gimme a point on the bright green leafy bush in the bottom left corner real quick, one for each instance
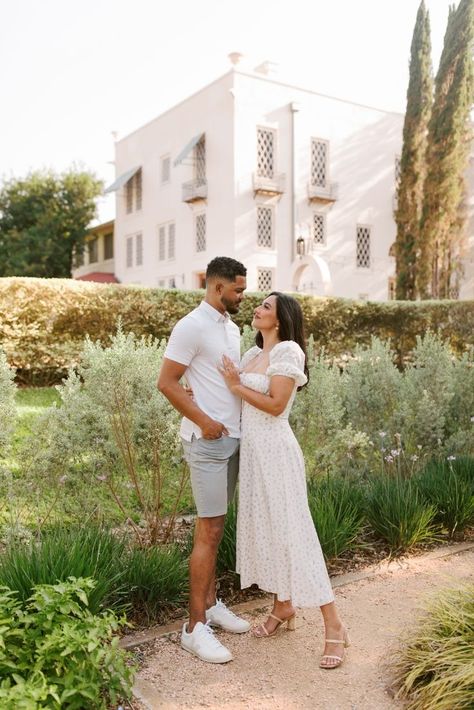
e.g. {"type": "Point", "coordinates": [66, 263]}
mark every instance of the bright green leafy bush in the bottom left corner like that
{"type": "Point", "coordinates": [54, 653]}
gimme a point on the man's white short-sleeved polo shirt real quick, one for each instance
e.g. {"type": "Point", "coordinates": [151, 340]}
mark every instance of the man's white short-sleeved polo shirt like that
{"type": "Point", "coordinates": [199, 340]}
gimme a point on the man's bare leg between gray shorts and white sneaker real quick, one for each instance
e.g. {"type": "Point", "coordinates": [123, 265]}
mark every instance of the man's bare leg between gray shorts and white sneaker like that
{"type": "Point", "coordinates": [202, 567]}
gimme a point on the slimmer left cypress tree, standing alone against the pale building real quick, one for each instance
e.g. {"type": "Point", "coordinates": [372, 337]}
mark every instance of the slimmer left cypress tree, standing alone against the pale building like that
{"type": "Point", "coordinates": [412, 162]}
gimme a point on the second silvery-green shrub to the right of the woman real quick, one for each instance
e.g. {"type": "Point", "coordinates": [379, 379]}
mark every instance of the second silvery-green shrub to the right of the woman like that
{"type": "Point", "coordinates": [372, 386]}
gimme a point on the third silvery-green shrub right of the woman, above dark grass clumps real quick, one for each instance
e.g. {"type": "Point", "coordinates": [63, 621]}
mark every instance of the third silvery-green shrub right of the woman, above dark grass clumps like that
{"type": "Point", "coordinates": [426, 394]}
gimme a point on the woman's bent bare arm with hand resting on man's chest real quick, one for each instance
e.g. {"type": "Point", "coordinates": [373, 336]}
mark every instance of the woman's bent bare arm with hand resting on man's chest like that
{"type": "Point", "coordinates": [274, 403]}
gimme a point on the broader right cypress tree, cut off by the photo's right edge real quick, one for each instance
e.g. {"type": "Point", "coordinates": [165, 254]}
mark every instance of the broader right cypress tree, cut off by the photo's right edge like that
{"type": "Point", "coordinates": [449, 141]}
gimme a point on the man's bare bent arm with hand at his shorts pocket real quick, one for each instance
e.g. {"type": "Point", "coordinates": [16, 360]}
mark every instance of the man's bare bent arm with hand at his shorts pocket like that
{"type": "Point", "coordinates": [168, 384]}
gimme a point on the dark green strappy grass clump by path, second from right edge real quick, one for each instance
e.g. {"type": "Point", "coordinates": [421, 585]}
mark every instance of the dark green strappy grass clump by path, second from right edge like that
{"type": "Point", "coordinates": [398, 514]}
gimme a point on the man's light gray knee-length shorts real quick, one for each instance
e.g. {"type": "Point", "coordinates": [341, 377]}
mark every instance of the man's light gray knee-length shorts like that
{"type": "Point", "coordinates": [214, 465]}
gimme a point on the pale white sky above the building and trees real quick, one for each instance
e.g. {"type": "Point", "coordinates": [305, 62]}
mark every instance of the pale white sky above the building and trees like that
{"type": "Point", "coordinates": [71, 73]}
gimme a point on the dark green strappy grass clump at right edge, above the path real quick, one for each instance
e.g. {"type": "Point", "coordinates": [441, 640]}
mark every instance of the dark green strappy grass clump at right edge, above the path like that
{"type": "Point", "coordinates": [450, 493]}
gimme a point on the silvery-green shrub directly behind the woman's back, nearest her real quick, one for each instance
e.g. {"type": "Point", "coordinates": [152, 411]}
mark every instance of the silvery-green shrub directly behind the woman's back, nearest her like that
{"type": "Point", "coordinates": [329, 443]}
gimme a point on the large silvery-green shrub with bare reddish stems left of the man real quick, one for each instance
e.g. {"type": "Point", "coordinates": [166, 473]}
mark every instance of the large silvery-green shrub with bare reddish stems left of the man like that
{"type": "Point", "coordinates": [113, 424]}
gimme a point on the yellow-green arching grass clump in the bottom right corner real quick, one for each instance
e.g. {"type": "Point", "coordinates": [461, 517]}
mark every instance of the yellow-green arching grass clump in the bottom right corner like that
{"type": "Point", "coordinates": [435, 665]}
